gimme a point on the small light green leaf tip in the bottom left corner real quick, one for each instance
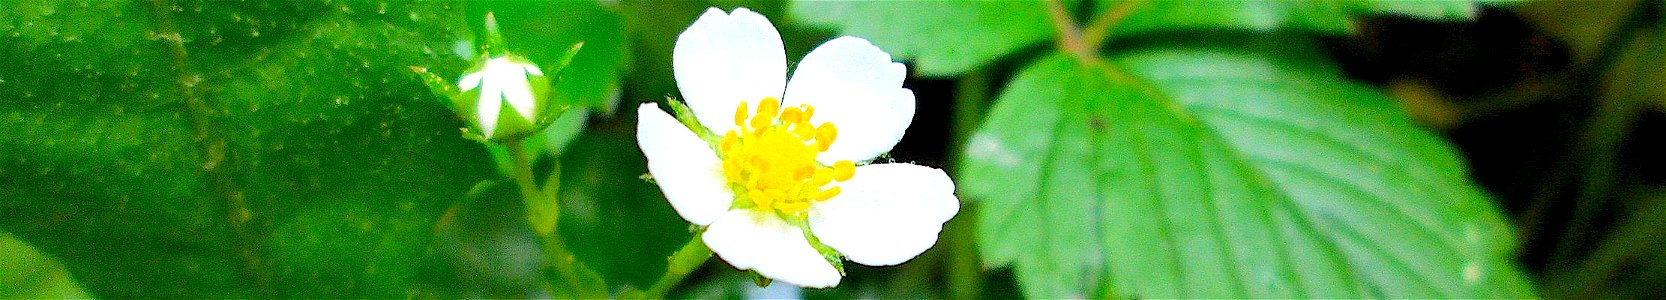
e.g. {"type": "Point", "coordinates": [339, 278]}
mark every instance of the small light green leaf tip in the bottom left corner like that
{"type": "Point", "coordinates": [31, 274]}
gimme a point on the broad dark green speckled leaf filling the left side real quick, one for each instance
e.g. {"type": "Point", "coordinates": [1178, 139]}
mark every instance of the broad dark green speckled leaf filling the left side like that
{"type": "Point", "coordinates": [264, 149]}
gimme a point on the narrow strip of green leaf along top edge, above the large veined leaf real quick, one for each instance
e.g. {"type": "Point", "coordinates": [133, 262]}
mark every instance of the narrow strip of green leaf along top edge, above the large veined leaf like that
{"type": "Point", "coordinates": [1265, 16]}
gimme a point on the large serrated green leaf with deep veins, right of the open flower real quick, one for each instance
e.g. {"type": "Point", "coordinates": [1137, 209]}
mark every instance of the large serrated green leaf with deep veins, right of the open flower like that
{"type": "Point", "coordinates": [1225, 172]}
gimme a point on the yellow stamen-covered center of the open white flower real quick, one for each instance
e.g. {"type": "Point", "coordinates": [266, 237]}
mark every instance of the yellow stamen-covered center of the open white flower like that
{"type": "Point", "coordinates": [771, 159]}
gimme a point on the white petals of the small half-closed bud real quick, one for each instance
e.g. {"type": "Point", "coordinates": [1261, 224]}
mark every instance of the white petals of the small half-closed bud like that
{"type": "Point", "coordinates": [502, 81]}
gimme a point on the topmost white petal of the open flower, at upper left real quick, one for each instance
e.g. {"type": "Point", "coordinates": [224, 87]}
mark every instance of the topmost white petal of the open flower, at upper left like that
{"type": "Point", "coordinates": [726, 59]}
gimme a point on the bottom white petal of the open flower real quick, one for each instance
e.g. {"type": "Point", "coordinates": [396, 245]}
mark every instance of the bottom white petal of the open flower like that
{"type": "Point", "coordinates": [771, 246]}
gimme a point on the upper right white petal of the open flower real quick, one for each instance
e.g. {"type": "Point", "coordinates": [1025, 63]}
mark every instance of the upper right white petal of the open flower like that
{"type": "Point", "coordinates": [860, 91]}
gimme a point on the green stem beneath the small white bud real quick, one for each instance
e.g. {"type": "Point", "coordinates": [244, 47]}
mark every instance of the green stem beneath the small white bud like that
{"type": "Point", "coordinates": [544, 216]}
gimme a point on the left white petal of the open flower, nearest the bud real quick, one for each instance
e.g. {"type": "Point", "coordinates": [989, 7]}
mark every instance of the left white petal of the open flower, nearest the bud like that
{"type": "Point", "coordinates": [686, 167]}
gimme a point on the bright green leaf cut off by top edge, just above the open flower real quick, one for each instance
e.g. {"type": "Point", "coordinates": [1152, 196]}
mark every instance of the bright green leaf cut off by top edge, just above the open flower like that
{"type": "Point", "coordinates": [944, 39]}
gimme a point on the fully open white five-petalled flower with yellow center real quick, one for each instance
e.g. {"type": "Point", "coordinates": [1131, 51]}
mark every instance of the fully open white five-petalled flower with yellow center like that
{"type": "Point", "coordinates": [787, 166]}
